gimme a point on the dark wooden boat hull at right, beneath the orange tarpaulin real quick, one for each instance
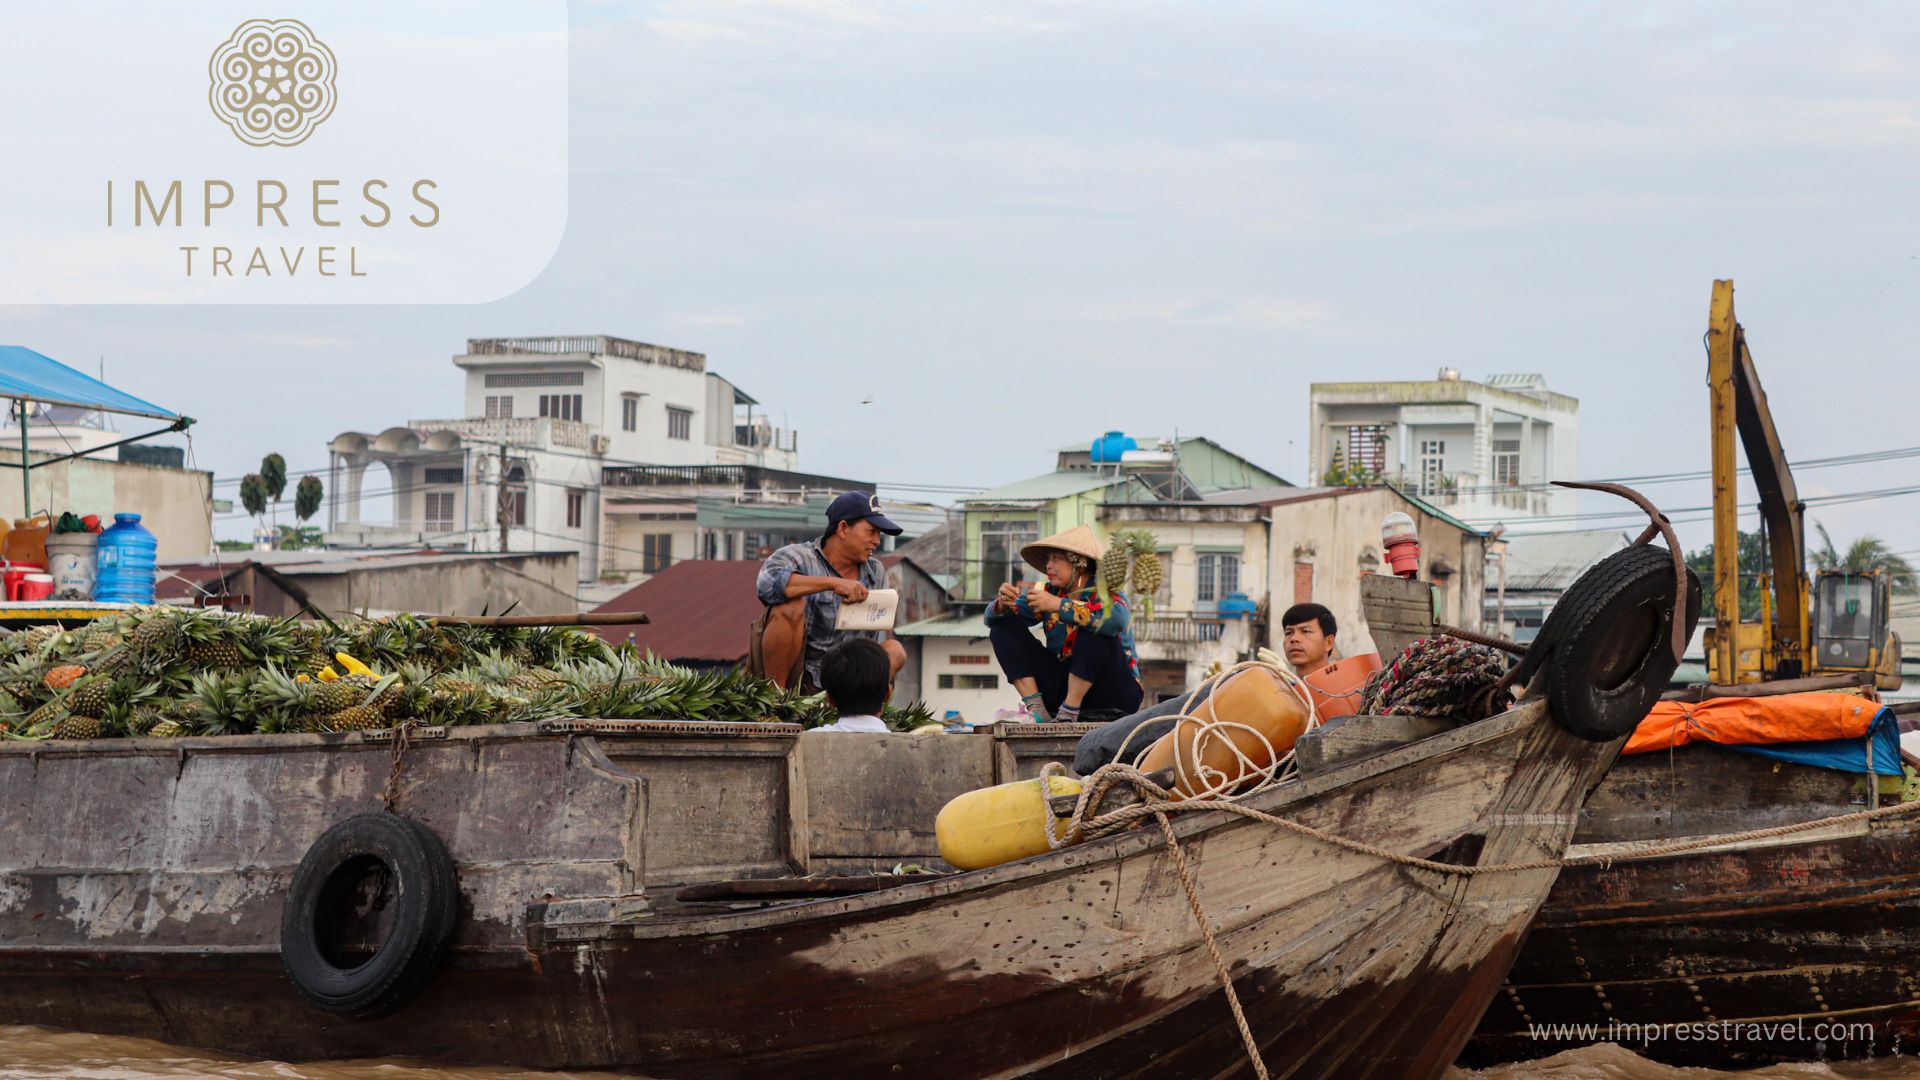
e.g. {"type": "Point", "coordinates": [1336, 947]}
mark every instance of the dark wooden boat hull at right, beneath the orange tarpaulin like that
{"type": "Point", "coordinates": [1787, 948]}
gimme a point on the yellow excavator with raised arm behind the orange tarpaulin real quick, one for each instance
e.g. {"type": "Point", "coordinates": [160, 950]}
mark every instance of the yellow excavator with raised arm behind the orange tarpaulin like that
{"type": "Point", "coordinates": [1838, 622]}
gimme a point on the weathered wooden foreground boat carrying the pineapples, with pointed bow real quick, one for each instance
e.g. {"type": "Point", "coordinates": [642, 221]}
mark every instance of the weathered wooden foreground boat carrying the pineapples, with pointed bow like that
{"type": "Point", "coordinates": [143, 889]}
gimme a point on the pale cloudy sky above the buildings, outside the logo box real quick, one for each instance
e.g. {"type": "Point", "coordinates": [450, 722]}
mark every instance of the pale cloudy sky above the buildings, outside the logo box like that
{"type": "Point", "coordinates": [1020, 226]}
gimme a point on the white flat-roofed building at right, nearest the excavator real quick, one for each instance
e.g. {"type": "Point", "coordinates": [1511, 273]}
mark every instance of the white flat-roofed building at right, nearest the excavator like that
{"type": "Point", "coordinates": [1477, 451]}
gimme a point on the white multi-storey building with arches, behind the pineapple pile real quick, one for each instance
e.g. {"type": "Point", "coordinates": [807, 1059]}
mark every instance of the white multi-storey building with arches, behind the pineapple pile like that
{"type": "Point", "coordinates": [525, 468]}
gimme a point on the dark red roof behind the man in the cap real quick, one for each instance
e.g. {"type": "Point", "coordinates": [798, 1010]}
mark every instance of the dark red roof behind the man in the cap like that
{"type": "Point", "coordinates": [700, 612]}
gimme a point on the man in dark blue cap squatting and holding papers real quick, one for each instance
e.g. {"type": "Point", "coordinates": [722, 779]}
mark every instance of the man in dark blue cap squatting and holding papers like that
{"type": "Point", "coordinates": [804, 587]}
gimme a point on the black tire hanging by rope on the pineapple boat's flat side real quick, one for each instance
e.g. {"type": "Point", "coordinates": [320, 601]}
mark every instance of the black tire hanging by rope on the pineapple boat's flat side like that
{"type": "Point", "coordinates": [421, 895]}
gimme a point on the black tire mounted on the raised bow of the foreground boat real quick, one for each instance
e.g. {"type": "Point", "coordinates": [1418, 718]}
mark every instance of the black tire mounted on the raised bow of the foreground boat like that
{"type": "Point", "coordinates": [1608, 645]}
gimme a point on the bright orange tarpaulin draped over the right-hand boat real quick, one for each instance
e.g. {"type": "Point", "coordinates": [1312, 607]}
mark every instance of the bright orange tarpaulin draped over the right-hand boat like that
{"type": "Point", "coordinates": [1787, 718]}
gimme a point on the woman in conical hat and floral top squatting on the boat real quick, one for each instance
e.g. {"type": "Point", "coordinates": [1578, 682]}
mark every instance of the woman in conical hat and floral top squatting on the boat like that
{"type": "Point", "coordinates": [1088, 662]}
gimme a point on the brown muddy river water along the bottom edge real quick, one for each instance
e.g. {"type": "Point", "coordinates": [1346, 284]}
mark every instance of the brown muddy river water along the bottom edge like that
{"type": "Point", "coordinates": [70, 1056]}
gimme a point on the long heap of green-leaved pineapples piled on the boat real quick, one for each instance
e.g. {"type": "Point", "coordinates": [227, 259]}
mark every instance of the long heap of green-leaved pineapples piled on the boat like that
{"type": "Point", "coordinates": [170, 672]}
